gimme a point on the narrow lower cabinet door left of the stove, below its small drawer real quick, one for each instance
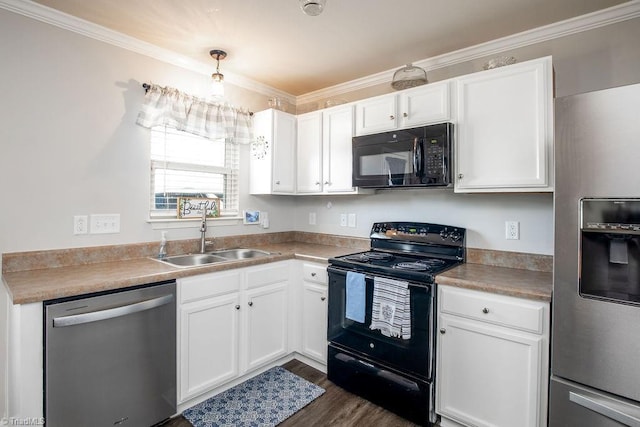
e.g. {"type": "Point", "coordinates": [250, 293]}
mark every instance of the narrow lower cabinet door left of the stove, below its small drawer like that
{"type": "Point", "coordinates": [314, 321]}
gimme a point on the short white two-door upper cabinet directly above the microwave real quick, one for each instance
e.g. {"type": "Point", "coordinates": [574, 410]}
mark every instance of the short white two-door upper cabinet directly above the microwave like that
{"type": "Point", "coordinates": [413, 107]}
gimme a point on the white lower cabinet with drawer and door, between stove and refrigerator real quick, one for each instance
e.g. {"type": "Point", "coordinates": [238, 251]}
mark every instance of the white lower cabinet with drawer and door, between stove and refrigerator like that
{"type": "Point", "coordinates": [492, 359]}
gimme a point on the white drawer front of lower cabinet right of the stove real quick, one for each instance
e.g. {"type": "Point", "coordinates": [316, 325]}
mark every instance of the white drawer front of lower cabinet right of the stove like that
{"type": "Point", "coordinates": [492, 308]}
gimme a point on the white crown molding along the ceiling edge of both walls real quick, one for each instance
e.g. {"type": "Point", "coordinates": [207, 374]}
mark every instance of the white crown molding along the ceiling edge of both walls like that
{"type": "Point", "coordinates": [612, 15]}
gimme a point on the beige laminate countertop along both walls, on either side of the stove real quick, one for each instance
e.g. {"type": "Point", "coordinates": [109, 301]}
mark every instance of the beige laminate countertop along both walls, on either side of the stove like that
{"type": "Point", "coordinates": [38, 285]}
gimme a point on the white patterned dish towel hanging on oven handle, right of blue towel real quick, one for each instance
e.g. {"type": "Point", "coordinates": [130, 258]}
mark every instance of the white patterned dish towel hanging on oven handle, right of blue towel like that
{"type": "Point", "coordinates": [391, 310]}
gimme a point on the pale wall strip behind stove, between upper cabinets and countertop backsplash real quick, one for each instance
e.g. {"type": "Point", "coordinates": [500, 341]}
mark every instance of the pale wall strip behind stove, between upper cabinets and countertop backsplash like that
{"type": "Point", "coordinates": [483, 215]}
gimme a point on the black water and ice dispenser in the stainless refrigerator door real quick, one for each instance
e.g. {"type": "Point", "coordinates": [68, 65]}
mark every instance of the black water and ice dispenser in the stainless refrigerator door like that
{"type": "Point", "coordinates": [610, 249]}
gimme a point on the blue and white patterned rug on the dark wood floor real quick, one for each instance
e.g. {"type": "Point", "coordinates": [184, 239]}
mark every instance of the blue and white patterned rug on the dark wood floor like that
{"type": "Point", "coordinates": [264, 400]}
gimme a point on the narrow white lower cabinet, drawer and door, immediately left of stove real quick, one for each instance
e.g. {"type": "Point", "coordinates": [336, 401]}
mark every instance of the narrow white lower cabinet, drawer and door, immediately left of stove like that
{"type": "Point", "coordinates": [314, 312]}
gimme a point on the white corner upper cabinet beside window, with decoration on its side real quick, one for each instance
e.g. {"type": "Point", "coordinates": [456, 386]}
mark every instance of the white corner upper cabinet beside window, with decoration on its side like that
{"type": "Point", "coordinates": [273, 156]}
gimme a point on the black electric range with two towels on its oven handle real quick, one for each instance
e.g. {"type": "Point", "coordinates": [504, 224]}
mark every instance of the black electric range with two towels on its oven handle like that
{"type": "Point", "coordinates": [396, 372]}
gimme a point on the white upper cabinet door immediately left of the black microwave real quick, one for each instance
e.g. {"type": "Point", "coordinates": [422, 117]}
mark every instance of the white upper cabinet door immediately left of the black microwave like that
{"type": "Point", "coordinates": [336, 136]}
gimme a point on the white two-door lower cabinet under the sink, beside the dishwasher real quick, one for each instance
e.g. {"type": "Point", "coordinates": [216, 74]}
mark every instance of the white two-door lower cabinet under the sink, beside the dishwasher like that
{"type": "Point", "coordinates": [230, 323]}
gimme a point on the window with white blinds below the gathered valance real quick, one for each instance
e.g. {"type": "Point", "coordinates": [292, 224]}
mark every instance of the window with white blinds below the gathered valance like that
{"type": "Point", "coordinates": [187, 165]}
